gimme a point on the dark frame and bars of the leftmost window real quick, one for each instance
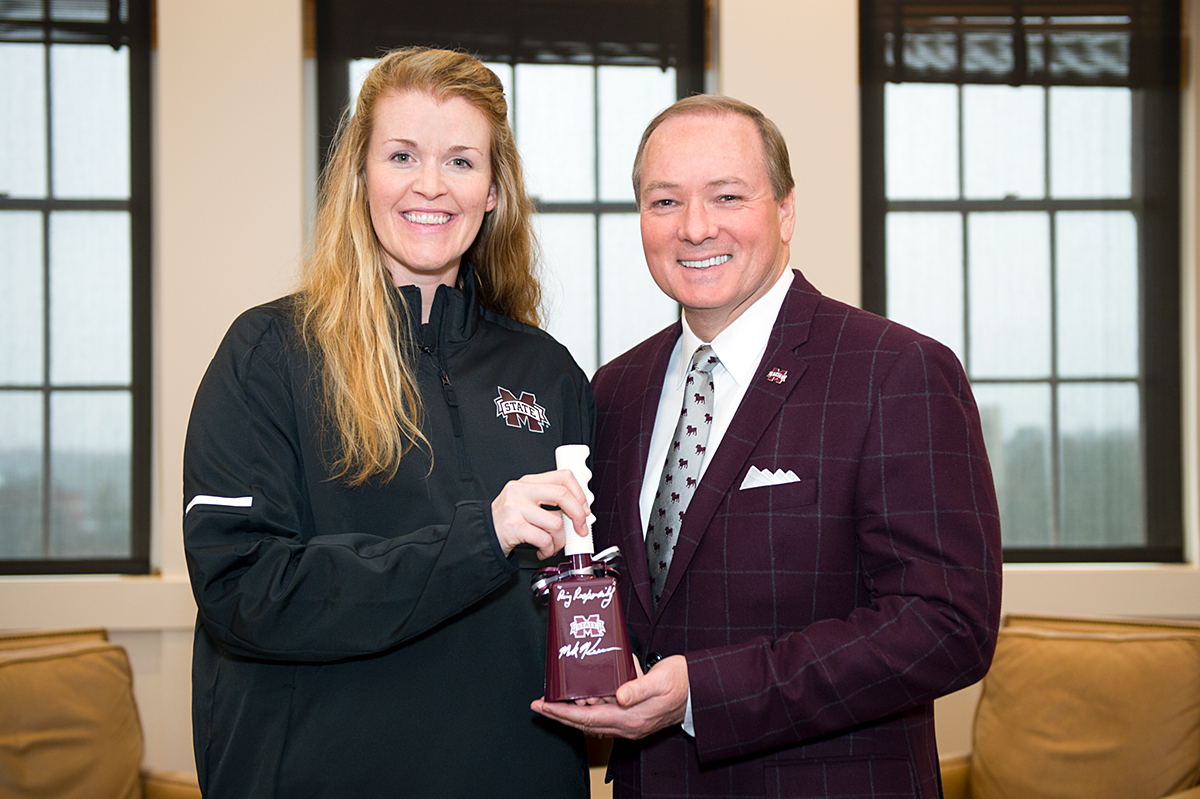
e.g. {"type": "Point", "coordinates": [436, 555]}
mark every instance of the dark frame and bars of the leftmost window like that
{"type": "Point", "coordinates": [136, 34]}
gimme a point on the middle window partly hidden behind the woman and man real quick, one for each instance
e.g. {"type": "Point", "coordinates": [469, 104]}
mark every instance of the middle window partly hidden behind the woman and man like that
{"type": "Point", "coordinates": [583, 80]}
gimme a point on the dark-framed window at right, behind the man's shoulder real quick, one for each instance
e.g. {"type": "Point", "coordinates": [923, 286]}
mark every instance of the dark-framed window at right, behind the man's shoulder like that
{"type": "Point", "coordinates": [1022, 206]}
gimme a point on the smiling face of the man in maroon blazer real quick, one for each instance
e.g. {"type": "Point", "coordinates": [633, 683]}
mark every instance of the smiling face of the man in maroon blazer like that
{"type": "Point", "coordinates": [716, 239]}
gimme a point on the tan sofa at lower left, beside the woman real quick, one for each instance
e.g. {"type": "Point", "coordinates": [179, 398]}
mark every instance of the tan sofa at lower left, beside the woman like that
{"type": "Point", "coordinates": [69, 723]}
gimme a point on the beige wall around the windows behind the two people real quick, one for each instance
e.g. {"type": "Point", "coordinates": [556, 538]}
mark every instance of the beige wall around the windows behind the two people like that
{"type": "Point", "coordinates": [230, 194]}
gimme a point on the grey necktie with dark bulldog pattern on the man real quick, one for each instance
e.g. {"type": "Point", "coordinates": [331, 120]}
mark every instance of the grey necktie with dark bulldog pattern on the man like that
{"type": "Point", "coordinates": [681, 473]}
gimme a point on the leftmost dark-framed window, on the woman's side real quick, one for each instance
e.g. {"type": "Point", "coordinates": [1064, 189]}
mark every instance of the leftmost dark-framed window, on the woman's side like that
{"type": "Point", "coordinates": [75, 289]}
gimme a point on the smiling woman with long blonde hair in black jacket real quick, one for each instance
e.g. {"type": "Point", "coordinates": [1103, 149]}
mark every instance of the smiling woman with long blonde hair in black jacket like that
{"type": "Point", "coordinates": [368, 473]}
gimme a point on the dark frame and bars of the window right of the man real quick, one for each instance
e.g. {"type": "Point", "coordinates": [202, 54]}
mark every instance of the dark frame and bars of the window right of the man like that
{"type": "Point", "coordinates": [1156, 205]}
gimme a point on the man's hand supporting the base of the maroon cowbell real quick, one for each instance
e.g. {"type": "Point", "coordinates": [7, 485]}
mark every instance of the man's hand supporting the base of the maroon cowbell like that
{"type": "Point", "coordinates": [644, 706]}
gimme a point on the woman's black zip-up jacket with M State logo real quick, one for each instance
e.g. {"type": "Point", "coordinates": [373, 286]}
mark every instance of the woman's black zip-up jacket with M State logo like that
{"type": "Point", "coordinates": [375, 641]}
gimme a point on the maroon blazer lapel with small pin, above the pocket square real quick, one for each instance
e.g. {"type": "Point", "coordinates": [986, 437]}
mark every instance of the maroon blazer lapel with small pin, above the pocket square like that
{"type": "Point", "coordinates": [778, 375]}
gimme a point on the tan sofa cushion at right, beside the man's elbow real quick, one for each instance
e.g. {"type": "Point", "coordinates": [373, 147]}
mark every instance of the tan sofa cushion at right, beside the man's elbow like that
{"type": "Point", "coordinates": [1107, 714]}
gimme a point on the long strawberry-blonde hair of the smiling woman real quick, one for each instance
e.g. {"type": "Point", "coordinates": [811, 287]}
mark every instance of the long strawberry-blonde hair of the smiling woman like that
{"type": "Point", "coordinates": [349, 316]}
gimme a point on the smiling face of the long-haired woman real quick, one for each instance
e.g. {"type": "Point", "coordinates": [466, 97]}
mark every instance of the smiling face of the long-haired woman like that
{"type": "Point", "coordinates": [429, 179]}
